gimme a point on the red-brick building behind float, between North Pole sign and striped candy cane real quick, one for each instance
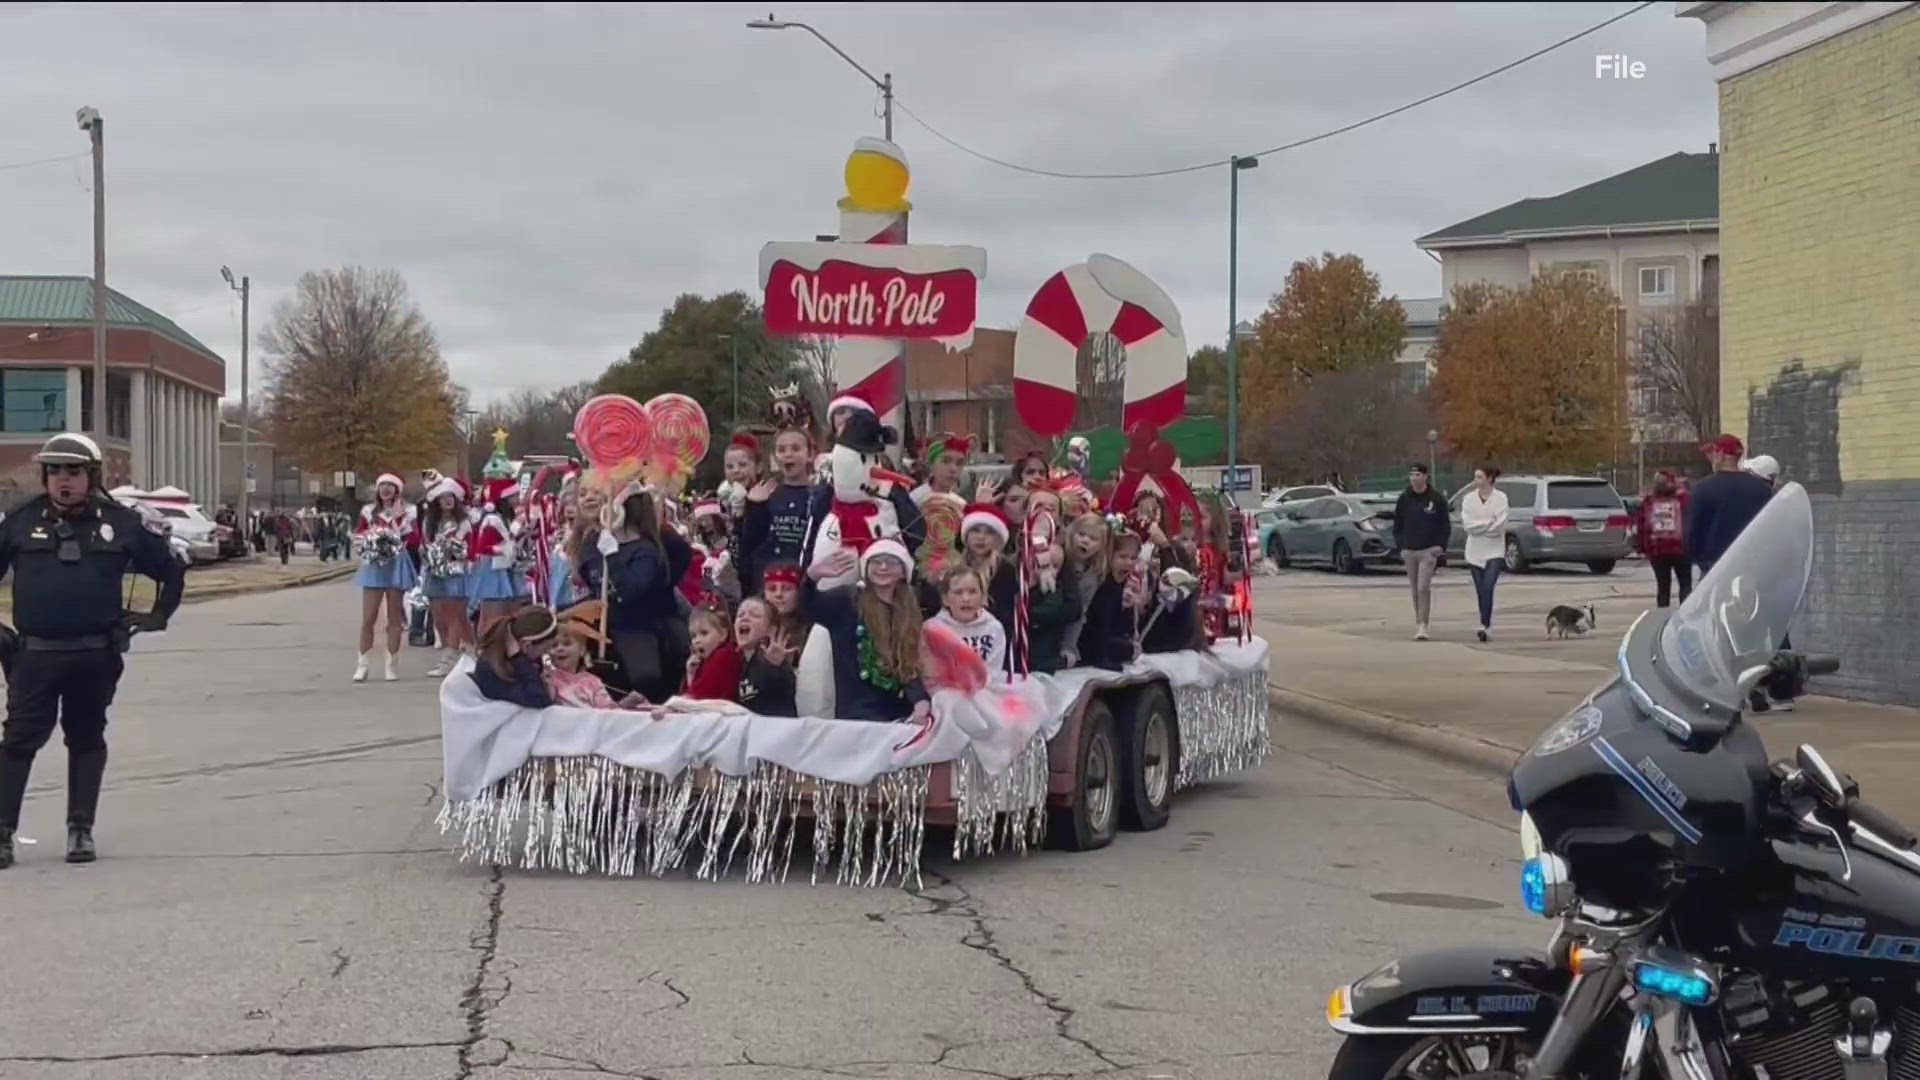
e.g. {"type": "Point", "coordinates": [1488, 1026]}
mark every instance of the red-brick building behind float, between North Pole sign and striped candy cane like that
{"type": "Point", "coordinates": [969, 393]}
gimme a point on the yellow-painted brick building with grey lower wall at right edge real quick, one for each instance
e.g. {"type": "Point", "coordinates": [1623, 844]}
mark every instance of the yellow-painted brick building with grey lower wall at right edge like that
{"type": "Point", "coordinates": [1819, 337]}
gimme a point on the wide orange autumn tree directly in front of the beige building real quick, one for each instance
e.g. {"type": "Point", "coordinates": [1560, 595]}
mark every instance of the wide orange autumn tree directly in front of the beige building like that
{"type": "Point", "coordinates": [1533, 376]}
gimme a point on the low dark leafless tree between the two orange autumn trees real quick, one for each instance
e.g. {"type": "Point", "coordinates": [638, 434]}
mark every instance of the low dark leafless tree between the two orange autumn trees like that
{"type": "Point", "coordinates": [1345, 426]}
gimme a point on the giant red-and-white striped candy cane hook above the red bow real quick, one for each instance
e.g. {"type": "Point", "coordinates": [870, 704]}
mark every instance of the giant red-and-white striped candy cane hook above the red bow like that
{"type": "Point", "coordinates": [1101, 295]}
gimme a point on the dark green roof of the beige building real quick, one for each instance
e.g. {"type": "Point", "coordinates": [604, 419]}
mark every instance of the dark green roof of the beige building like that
{"type": "Point", "coordinates": [1673, 191]}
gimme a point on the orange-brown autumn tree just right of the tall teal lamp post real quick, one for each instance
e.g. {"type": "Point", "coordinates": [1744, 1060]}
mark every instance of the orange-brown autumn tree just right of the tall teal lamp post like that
{"type": "Point", "coordinates": [1330, 316]}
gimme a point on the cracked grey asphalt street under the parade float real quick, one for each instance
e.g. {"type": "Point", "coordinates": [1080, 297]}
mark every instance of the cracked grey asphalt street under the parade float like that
{"type": "Point", "coordinates": [274, 900]}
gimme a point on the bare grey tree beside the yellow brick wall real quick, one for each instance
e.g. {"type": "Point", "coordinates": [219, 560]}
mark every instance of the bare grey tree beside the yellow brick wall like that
{"type": "Point", "coordinates": [1677, 374]}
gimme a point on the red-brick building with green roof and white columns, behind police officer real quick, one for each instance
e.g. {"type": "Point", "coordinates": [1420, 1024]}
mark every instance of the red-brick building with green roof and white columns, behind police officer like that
{"type": "Point", "coordinates": [164, 387]}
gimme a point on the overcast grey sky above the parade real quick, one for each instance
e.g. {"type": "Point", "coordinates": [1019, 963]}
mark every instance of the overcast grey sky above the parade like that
{"type": "Point", "coordinates": [552, 178]}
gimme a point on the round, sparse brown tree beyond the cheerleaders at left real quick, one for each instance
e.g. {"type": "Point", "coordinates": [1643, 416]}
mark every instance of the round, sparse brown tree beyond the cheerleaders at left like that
{"type": "Point", "coordinates": [354, 380]}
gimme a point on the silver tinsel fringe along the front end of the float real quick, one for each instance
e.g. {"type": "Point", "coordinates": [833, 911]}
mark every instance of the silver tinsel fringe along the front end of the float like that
{"type": "Point", "coordinates": [590, 816]}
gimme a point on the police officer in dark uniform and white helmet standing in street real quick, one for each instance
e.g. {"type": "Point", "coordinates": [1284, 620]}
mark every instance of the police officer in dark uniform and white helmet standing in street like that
{"type": "Point", "coordinates": [70, 552]}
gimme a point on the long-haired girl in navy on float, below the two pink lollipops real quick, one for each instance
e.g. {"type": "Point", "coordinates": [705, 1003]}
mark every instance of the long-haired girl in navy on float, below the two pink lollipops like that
{"type": "Point", "coordinates": [642, 602]}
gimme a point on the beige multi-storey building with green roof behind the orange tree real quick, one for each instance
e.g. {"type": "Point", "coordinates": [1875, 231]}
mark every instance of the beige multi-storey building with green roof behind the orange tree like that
{"type": "Point", "coordinates": [1650, 233]}
